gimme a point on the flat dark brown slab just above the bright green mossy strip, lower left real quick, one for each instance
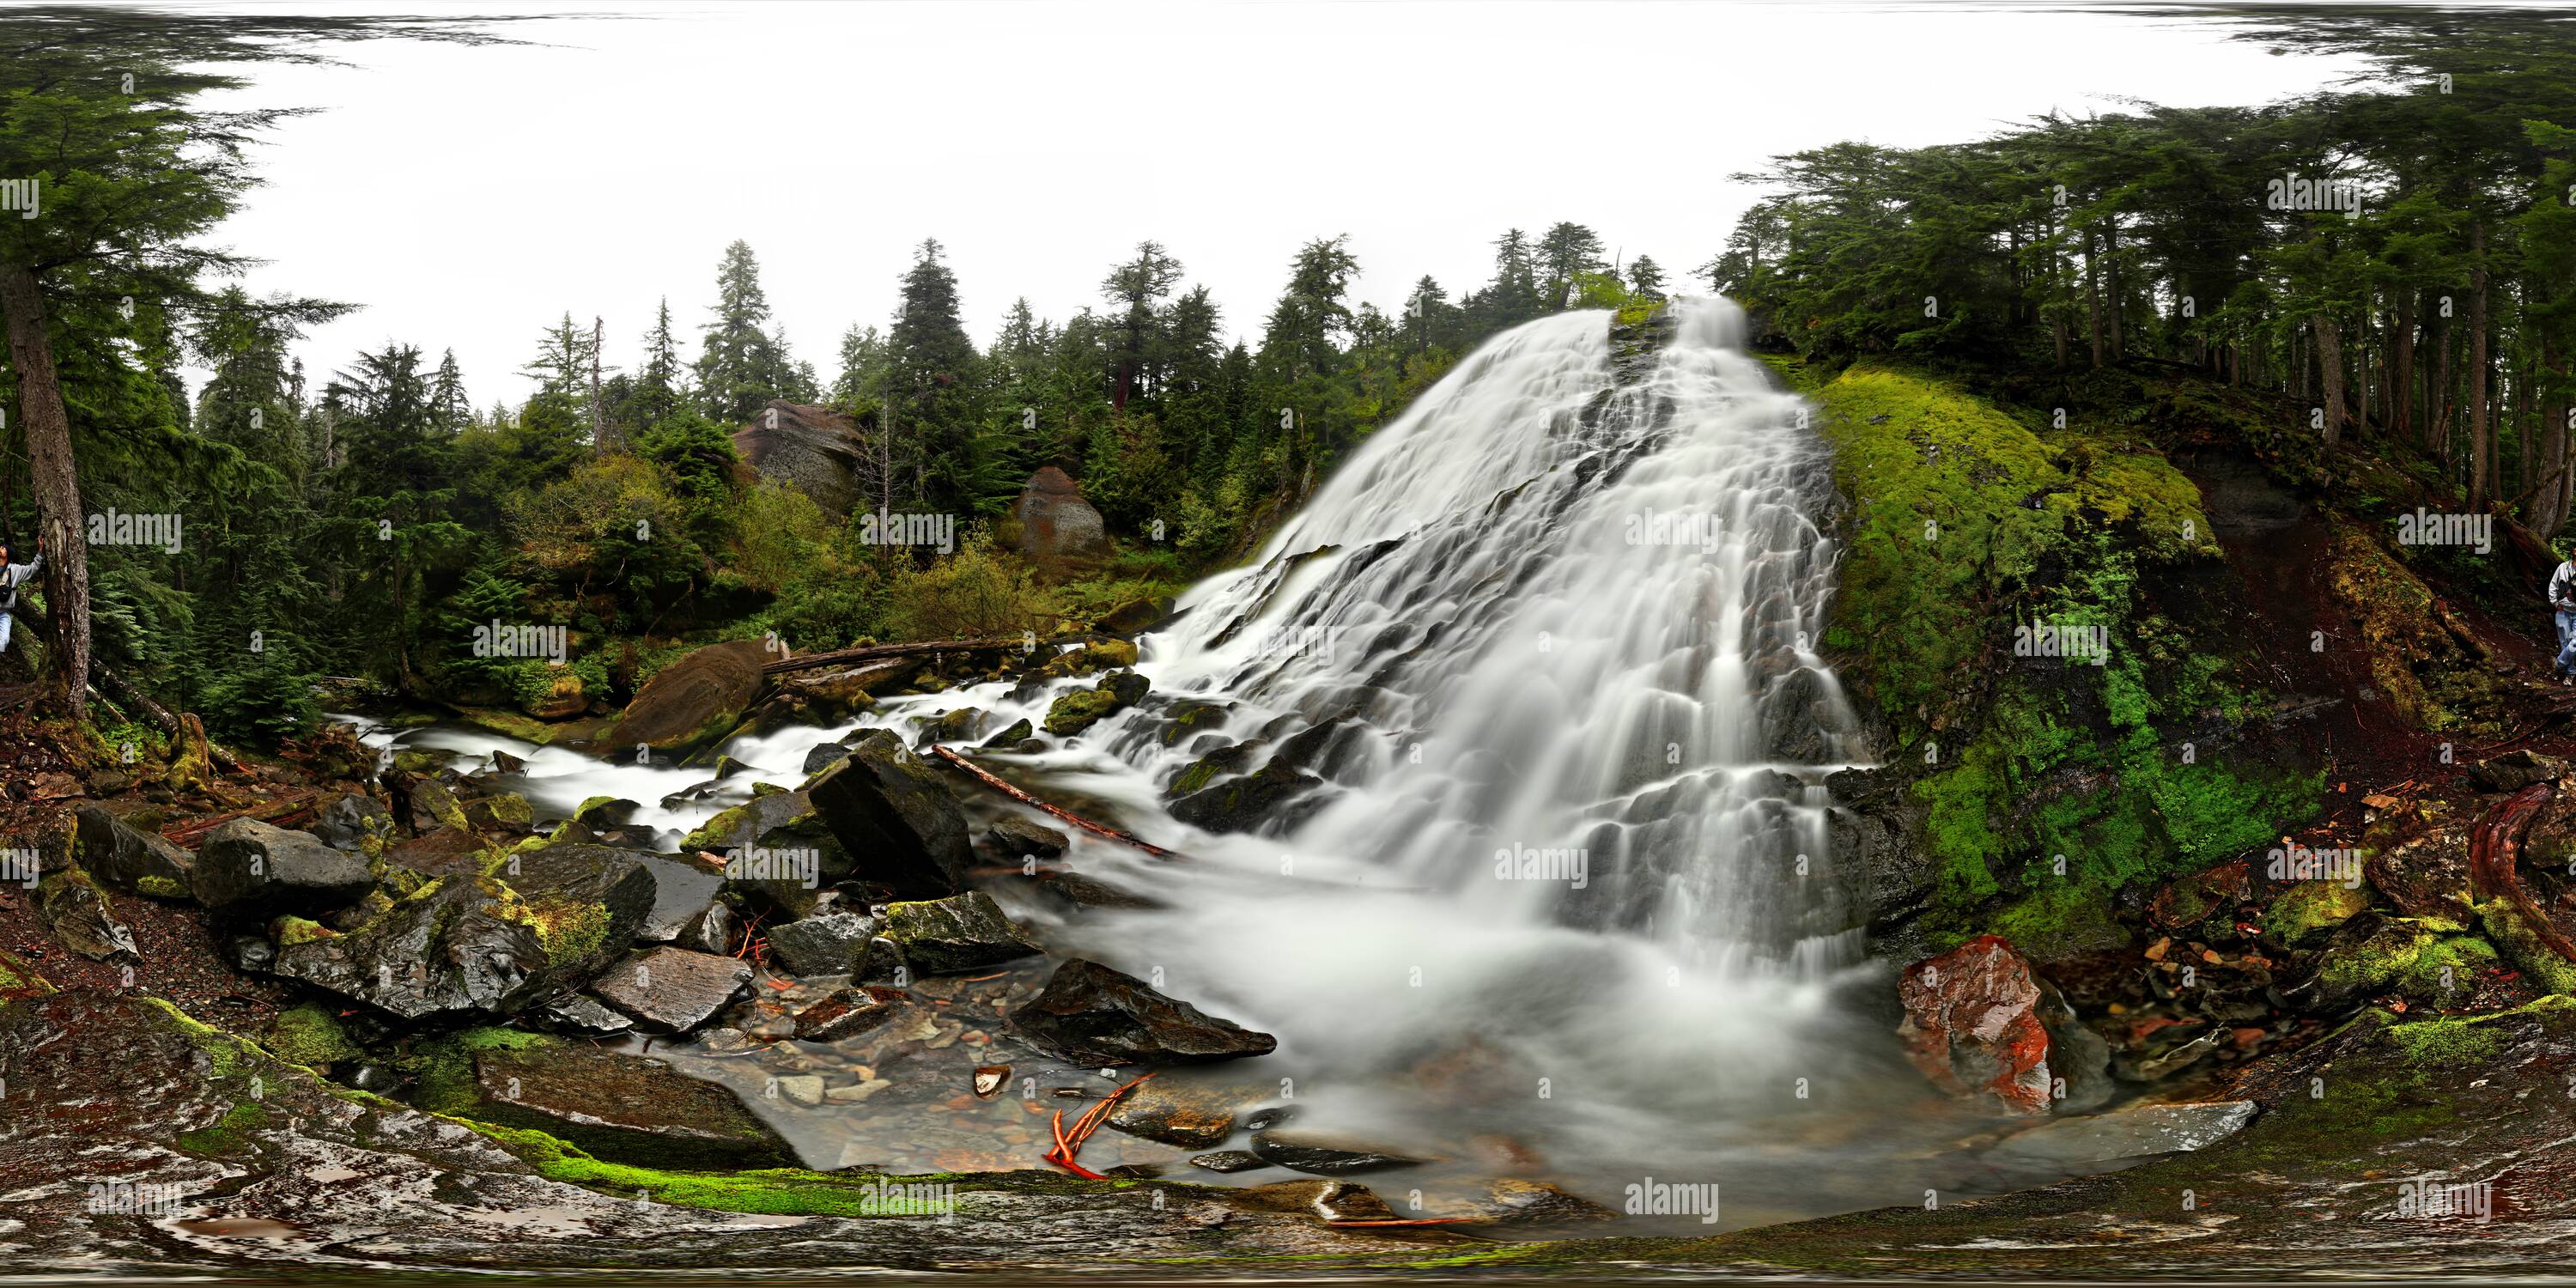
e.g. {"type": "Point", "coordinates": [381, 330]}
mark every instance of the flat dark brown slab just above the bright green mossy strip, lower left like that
{"type": "Point", "coordinates": [620, 1109]}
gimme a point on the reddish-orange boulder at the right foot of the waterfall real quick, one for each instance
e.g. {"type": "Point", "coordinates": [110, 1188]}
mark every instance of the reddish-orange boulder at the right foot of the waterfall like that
{"type": "Point", "coordinates": [1980, 1021]}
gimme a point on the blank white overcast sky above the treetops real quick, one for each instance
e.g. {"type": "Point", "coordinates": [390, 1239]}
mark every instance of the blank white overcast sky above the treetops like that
{"type": "Point", "coordinates": [470, 197]}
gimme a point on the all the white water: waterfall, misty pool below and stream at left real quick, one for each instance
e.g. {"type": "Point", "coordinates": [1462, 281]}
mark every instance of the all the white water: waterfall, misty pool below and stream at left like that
{"type": "Point", "coordinates": [1521, 674]}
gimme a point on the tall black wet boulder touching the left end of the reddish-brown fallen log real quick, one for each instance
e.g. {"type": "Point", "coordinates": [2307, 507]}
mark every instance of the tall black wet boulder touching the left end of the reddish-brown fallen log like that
{"type": "Point", "coordinates": [895, 818]}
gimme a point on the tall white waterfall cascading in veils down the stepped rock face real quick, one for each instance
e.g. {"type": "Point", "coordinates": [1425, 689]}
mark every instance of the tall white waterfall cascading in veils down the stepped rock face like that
{"type": "Point", "coordinates": [1565, 612]}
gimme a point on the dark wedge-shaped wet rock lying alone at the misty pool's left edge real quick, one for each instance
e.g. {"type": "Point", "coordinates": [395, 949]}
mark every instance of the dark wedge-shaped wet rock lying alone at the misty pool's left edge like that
{"type": "Point", "coordinates": [1104, 1019]}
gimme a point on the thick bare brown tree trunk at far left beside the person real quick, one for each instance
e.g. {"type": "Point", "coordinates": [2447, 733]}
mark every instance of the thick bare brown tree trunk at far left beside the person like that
{"type": "Point", "coordinates": [55, 483]}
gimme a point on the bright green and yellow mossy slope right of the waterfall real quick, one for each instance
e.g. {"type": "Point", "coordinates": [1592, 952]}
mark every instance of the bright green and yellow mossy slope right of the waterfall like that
{"type": "Point", "coordinates": [1967, 527]}
